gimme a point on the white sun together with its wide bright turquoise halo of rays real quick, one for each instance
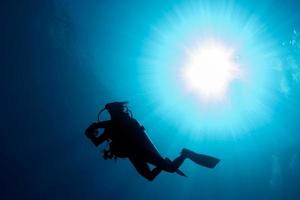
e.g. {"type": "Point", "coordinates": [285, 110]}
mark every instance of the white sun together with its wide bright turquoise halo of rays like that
{"type": "Point", "coordinates": [210, 68]}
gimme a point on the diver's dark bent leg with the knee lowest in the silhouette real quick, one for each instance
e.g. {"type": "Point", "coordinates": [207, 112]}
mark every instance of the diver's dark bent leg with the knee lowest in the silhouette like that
{"type": "Point", "coordinates": [143, 168]}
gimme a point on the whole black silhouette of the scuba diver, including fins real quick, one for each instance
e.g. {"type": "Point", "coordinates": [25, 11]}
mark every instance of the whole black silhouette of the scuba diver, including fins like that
{"type": "Point", "coordinates": [128, 139]}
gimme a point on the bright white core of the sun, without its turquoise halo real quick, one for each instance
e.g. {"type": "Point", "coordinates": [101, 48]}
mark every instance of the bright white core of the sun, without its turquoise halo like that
{"type": "Point", "coordinates": [209, 69]}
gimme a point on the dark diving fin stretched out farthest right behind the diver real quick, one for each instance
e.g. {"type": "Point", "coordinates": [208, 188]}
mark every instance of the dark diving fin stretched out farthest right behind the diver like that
{"type": "Point", "coordinates": [201, 159]}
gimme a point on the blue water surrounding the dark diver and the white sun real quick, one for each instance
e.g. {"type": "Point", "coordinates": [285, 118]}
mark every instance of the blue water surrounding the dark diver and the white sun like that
{"type": "Point", "coordinates": [61, 61]}
